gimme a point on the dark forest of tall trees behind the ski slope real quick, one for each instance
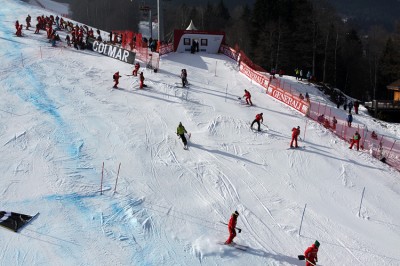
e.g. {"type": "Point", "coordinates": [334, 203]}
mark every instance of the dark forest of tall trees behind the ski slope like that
{"type": "Point", "coordinates": [278, 34]}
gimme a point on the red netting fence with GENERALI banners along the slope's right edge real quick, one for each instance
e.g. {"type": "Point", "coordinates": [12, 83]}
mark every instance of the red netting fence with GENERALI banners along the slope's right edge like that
{"type": "Point", "coordinates": [384, 148]}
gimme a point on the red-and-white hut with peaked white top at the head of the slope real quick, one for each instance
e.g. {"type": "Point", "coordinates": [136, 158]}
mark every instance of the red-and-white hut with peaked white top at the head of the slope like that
{"type": "Point", "coordinates": [208, 41]}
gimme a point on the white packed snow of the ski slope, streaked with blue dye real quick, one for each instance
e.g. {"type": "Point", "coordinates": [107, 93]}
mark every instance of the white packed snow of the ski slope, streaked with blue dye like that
{"type": "Point", "coordinates": [61, 121]}
